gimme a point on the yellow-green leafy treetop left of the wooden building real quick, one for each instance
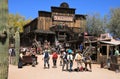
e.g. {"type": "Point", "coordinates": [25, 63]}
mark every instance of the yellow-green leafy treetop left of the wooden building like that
{"type": "Point", "coordinates": [17, 21]}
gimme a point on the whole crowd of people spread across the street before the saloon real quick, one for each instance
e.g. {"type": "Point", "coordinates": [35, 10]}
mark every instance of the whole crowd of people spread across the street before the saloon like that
{"type": "Point", "coordinates": [67, 56]}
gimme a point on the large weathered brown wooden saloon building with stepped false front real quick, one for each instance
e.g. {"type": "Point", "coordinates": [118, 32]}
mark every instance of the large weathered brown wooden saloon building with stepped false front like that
{"type": "Point", "coordinates": [61, 24]}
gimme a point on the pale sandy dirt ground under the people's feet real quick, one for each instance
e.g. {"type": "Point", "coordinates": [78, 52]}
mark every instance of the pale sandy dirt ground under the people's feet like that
{"type": "Point", "coordinates": [38, 72]}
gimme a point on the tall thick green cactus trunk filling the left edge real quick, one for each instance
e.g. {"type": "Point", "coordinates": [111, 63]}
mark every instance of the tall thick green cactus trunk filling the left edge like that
{"type": "Point", "coordinates": [3, 39]}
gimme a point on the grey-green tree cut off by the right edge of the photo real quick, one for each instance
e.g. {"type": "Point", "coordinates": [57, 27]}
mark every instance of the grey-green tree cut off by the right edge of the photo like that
{"type": "Point", "coordinates": [114, 22]}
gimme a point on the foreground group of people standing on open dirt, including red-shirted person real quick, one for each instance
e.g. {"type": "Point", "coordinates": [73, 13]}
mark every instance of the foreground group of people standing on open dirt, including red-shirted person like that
{"type": "Point", "coordinates": [67, 58]}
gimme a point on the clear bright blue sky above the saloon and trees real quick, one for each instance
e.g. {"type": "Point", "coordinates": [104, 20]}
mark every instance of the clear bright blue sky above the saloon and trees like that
{"type": "Point", "coordinates": [30, 8]}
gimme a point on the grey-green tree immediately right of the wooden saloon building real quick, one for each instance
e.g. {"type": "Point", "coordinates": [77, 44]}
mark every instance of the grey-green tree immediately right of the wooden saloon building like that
{"type": "Point", "coordinates": [95, 25]}
